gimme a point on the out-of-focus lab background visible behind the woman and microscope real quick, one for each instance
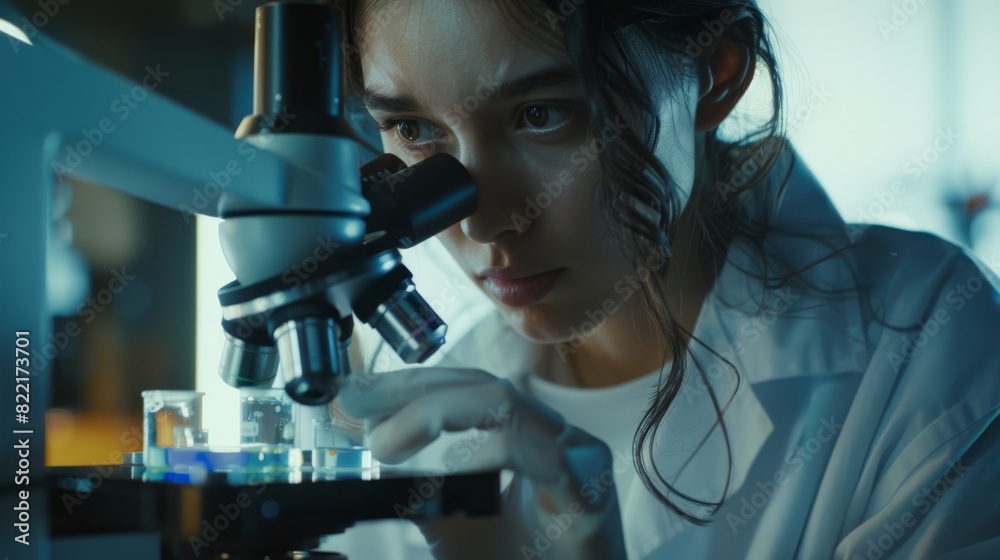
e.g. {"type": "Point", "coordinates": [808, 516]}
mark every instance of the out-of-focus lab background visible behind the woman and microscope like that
{"type": "Point", "coordinates": [891, 103]}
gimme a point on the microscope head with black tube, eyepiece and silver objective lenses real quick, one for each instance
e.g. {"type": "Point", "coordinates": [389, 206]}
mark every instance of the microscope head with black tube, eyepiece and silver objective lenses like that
{"type": "Point", "coordinates": [278, 314]}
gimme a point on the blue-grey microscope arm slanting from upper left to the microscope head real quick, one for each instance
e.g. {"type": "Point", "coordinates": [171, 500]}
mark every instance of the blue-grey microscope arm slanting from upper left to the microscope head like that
{"type": "Point", "coordinates": [100, 128]}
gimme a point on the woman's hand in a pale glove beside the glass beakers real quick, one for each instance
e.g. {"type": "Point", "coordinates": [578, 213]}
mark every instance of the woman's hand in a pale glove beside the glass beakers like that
{"type": "Point", "coordinates": [545, 511]}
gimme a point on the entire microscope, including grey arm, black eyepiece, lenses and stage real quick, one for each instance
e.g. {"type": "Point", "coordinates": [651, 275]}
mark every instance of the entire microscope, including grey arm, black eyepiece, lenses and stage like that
{"type": "Point", "coordinates": [286, 311]}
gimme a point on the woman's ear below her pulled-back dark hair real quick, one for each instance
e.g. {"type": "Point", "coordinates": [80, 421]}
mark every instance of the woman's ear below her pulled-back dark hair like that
{"type": "Point", "coordinates": [725, 77]}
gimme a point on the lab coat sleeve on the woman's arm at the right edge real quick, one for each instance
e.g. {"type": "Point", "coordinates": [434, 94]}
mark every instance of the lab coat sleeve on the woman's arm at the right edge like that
{"type": "Point", "coordinates": [930, 485]}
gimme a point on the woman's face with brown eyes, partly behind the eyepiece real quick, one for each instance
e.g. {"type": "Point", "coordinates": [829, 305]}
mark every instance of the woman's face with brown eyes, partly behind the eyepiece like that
{"type": "Point", "coordinates": [449, 76]}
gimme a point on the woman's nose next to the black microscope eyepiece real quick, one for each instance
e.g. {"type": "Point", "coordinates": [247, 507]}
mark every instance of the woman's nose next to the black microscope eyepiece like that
{"type": "Point", "coordinates": [501, 192]}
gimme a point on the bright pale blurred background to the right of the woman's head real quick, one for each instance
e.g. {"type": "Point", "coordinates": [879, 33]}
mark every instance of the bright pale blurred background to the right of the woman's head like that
{"type": "Point", "coordinates": [898, 96]}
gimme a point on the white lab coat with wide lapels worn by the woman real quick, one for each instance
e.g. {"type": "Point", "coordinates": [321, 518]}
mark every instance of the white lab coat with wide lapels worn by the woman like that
{"type": "Point", "coordinates": [849, 439]}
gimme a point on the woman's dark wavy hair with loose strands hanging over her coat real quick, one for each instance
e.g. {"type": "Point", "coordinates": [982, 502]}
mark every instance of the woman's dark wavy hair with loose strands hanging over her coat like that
{"type": "Point", "coordinates": [592, 34]}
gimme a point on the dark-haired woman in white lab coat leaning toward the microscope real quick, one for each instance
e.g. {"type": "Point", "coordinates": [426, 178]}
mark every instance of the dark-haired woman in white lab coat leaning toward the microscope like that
{"type": "Point", "coordinates": [691, 356]}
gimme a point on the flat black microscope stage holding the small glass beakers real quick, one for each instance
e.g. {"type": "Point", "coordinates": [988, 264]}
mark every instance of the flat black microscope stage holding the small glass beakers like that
{"type": "Point", "coordinates": [232, 512]}
